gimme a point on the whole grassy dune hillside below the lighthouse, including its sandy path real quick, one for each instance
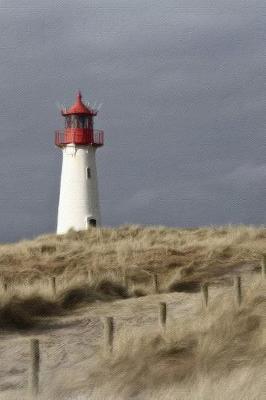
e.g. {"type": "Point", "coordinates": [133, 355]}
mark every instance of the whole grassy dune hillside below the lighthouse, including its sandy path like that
{"type": "Point", "coordinates": [212, 353]}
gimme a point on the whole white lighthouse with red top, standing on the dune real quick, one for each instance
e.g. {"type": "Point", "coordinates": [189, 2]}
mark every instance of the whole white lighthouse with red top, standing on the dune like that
{"type": "Point", "coordinates": [79, 199]}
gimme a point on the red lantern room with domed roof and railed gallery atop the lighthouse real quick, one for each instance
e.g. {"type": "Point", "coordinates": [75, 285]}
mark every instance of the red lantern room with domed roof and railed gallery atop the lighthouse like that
{"type": "Point", "coordinates": [79, 126]}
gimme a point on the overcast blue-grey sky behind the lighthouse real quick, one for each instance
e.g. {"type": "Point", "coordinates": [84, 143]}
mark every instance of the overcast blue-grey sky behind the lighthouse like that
{"type": "Point", "coordinates": [183, 90]}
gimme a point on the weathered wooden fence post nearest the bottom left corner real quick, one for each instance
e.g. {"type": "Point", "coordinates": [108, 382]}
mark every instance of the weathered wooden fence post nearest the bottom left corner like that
{"type": "Point", "coordinates": [34, 368]}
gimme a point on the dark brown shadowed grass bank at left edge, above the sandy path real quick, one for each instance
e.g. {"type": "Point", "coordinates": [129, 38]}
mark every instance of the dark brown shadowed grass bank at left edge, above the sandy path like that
{"type": "Point", "coordinates": [27, 312]}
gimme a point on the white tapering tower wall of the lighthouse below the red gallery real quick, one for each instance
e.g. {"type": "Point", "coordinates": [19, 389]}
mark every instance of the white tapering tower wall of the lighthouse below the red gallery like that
{"type": "Point", "coordinates": [79, 199]}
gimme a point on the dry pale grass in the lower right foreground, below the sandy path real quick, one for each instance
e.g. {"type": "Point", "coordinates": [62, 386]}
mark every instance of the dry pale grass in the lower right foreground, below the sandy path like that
{"type": "Point", "coordinates": [216, 355]}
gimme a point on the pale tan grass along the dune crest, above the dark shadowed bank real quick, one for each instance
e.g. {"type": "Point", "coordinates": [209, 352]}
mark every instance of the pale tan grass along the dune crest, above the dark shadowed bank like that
{"type": "Point", "coordinates": [183, 254]}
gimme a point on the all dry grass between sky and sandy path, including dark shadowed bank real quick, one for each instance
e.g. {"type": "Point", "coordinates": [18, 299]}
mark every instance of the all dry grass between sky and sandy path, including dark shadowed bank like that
{"type": "Point", "coordinates": [90, 264]}
